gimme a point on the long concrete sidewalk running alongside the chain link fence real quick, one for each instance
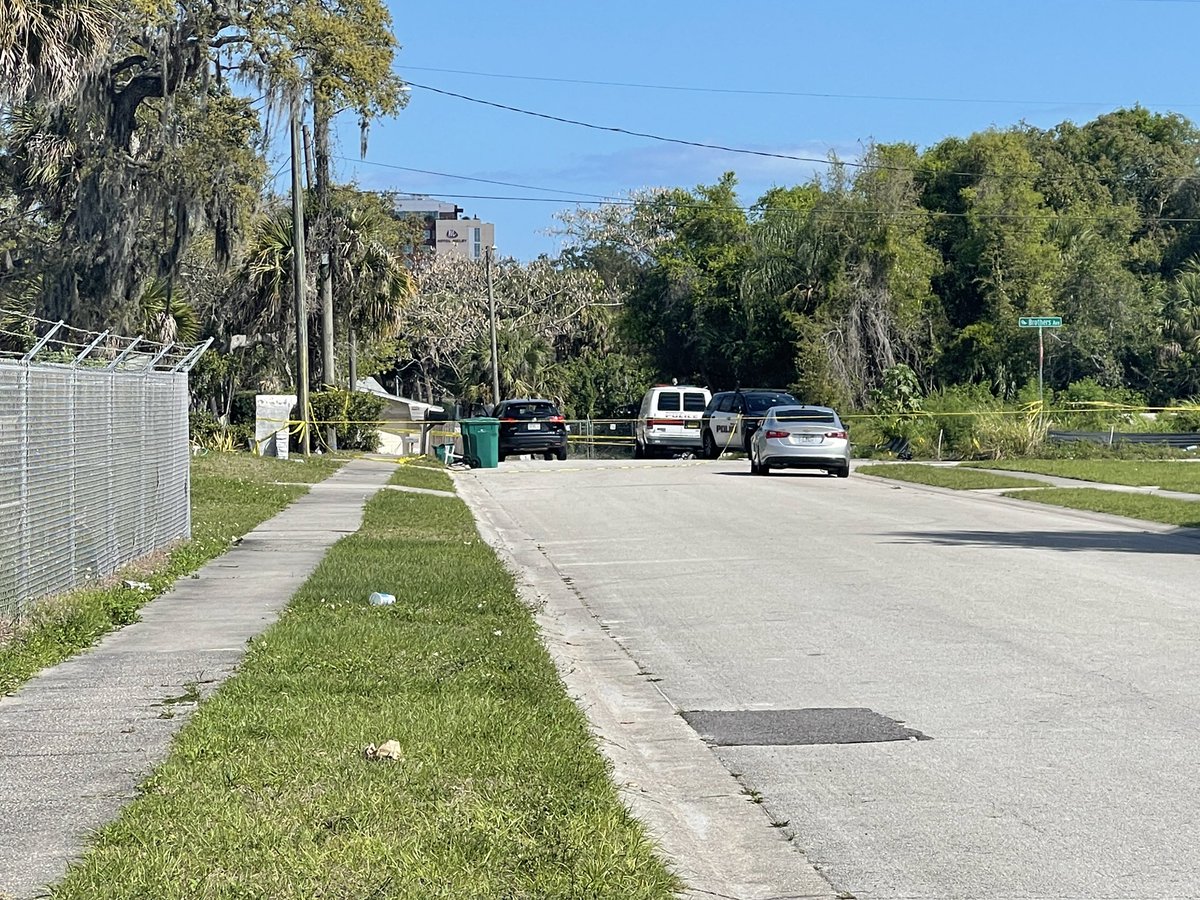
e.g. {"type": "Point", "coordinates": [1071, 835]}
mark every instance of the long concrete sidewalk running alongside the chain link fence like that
{"type": "Point", "coordinates": [79, 739]}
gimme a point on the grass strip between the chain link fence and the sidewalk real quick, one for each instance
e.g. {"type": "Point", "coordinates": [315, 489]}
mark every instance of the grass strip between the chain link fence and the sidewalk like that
{"type": "Point", "coordinates": [231, 495]}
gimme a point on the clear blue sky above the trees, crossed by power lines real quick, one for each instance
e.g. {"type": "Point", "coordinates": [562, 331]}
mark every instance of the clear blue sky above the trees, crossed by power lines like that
{"type": "Point", "coordinates": [914, 71]}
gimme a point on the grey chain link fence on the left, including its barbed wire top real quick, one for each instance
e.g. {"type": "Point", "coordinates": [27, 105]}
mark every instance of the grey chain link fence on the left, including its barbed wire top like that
{"type": "Point", "coordinates": [94, 455]}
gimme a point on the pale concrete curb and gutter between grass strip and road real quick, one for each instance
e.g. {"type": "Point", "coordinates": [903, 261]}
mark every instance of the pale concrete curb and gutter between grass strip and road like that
{"type": "Point", "coordinates": [715, 838]}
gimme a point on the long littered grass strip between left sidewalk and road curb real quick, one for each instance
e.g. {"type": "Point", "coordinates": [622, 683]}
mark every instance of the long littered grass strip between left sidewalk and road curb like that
{"type": "Point", "coordinates": [501, 791]}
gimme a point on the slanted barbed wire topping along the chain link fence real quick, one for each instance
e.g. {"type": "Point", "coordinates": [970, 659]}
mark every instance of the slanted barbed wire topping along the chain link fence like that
{"type": "Point", "coordinates": [29, 340]}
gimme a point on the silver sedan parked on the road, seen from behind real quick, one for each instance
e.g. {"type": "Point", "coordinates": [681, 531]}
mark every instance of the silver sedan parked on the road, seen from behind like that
{"type": "Point", "coordinates": [801, 439]}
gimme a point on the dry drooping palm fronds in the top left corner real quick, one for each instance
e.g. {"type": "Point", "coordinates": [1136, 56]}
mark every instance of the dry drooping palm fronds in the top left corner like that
{"type": "Point", "coordinates": [47, 47]}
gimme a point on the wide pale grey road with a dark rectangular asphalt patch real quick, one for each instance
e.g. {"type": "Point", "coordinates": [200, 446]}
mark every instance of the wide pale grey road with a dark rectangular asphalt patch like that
{"type": "Point", "coordinates": [1053, 661]}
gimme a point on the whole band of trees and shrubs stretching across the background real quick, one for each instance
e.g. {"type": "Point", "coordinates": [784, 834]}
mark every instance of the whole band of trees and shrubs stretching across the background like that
{"type": "Point", "coordinates": [139, 196]}
